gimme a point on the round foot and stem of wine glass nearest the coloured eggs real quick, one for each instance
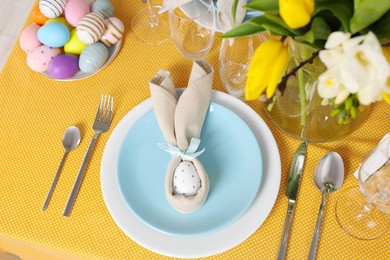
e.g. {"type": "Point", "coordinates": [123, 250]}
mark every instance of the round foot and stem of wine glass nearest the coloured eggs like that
{"type": "Point", "coordinates": [149, 26]}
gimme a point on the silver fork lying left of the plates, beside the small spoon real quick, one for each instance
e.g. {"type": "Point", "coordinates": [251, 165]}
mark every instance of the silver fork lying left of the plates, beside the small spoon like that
{"type": "Point", "coordinates": [101, 124]}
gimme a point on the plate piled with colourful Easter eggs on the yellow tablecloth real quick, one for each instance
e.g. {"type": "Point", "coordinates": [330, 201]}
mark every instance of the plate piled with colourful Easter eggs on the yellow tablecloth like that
{"type": "Point", "coordinates": [71, 39]}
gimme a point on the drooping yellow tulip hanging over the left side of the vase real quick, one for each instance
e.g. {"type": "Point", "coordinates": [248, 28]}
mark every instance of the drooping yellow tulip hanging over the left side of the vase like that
{"type": "Point", "coordinates": [267, 67]}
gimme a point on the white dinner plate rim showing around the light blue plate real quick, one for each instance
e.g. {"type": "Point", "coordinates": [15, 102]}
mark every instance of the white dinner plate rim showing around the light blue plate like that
{"type": "Point", "coordinates": [212, 243]}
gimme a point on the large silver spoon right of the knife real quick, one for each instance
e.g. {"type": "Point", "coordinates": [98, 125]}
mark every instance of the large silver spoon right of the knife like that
{"type": "Point", "coordinates": [328, 177]}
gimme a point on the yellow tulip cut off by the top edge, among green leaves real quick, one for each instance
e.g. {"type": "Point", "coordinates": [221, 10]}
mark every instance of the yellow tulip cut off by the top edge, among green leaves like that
{"type": "Point", "coordinates": [296, 13]}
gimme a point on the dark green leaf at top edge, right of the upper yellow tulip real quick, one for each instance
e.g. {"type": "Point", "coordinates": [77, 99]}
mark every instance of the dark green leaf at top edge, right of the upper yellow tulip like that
{"type": "Point", "coordinates": [342, 10]}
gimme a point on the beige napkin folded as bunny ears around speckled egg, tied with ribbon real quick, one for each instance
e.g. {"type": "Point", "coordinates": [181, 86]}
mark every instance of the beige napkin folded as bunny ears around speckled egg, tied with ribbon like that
{"type": "Point", "coordinates": [181, 120]}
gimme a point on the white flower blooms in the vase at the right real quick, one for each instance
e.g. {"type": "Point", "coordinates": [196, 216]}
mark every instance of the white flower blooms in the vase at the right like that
{"type": "Point", "coordinates": [354, 65]}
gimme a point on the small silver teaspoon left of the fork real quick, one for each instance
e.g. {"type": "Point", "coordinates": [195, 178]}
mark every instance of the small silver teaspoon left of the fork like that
{"type": "Point", "coordinates": [70, 141]}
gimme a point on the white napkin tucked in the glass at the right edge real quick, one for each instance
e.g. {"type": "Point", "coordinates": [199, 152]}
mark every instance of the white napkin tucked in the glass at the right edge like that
{"type": "Point", "coordinates": [376, 160]}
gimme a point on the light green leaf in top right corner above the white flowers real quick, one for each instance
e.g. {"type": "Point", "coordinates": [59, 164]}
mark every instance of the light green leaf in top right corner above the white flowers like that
{"type": "Point", "coordinates": [367, 12]}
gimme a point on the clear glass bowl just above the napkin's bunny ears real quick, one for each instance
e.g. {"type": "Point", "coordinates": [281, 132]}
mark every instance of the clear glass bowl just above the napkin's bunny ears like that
{"type": "Point", "coordinates": [192, 24]}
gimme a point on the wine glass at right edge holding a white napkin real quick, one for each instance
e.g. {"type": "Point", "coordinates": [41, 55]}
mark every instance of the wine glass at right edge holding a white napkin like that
{"type": "Point", "coordinates": [363, 212]}
